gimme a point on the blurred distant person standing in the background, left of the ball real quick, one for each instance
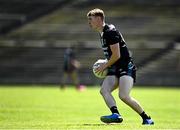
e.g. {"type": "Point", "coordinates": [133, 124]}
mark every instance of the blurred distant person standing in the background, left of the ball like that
{"type": "Point", "coordinates": [70, 69]}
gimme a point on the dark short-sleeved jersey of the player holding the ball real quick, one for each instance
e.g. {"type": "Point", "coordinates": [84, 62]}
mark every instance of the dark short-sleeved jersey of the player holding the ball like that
{"type": "Point", "coordinates": [110, 36]}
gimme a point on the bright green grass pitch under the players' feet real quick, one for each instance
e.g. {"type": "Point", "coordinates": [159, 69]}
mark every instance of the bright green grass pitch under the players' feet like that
{"type": "Point", "coordinates": [48, 107]}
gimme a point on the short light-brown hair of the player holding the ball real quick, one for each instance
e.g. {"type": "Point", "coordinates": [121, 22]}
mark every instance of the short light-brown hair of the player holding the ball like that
{"type": "Point", "coordinates": [96, 12]}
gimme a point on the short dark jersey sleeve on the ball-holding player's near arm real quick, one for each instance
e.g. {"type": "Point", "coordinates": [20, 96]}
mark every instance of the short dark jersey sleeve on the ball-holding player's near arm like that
{"type": "Point", "coordinates": [112, 37]}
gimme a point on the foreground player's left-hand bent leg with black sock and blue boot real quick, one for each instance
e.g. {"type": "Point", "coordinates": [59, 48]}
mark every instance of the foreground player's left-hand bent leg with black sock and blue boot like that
{"type": "Point", "coordinates": [110, 83]}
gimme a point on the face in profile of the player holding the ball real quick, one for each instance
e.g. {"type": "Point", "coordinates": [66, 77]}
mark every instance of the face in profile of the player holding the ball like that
{"type": "Point", "coordinates": [93, 22]}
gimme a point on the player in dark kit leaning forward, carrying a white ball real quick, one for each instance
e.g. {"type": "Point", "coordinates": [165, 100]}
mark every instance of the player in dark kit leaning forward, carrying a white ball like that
{"type": "Point", "coordinates": [121, 69]}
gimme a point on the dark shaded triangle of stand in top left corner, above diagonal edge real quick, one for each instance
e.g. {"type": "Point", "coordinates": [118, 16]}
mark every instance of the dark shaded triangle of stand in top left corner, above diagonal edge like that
{"type": "Point", "coordinates": [15, 13]}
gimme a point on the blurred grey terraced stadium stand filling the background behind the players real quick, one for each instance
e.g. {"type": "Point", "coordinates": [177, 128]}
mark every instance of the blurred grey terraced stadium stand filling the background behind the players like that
{"type": "Point", "coordinates": [35, 33]}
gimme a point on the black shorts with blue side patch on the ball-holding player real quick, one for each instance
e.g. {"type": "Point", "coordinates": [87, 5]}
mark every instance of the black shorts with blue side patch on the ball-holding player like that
{"type": "Point", "coordinates": [129, 70]}
